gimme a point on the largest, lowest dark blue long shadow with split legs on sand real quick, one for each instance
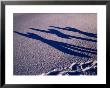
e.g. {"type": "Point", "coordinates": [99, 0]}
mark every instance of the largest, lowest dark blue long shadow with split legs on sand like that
{"type": "Point", "coordinates": [64, 47]}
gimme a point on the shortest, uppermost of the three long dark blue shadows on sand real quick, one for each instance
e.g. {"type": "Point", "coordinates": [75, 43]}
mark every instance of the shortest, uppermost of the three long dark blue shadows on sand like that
{"type": "Point", "coordinates": [77, 30]}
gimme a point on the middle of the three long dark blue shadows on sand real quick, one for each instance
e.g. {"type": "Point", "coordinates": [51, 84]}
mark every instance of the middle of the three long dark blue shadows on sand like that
{"type": "Point", "coordinates": [62, 35]}
